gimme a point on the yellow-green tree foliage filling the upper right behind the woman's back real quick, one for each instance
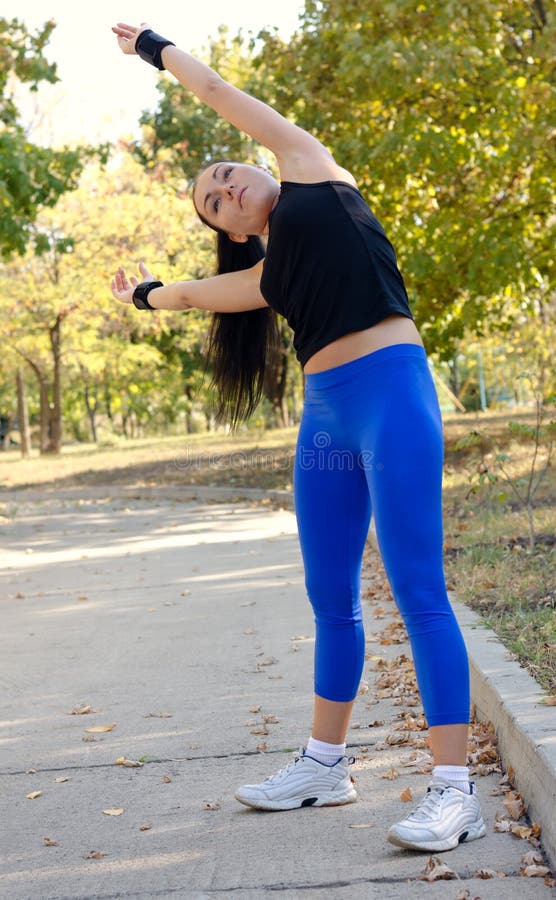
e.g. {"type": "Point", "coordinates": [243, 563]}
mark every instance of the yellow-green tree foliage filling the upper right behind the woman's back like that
{"type": "Point", "coordinates": [444, 113]}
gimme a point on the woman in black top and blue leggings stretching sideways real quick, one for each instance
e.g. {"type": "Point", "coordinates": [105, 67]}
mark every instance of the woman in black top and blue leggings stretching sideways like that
{"type": "Point", "coordinates": [370, 438]}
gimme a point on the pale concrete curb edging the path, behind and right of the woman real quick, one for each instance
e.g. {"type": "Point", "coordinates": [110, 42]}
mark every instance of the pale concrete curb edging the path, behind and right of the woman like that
{"type": "Point", "coordinates": [501, 690]}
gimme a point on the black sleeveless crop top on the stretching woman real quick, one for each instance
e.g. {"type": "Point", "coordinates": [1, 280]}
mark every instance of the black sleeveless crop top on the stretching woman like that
{"type": "Point", "coordinates": [329, 267]}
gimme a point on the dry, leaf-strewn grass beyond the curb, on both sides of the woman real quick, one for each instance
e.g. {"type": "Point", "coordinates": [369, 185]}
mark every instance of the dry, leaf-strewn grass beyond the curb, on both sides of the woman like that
{"type": "Point", "coordinates": [489, 563]}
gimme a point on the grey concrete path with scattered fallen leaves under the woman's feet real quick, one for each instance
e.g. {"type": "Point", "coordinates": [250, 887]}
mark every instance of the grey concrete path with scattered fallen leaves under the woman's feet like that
{"type": "Point", "coordinates": [184, 625]}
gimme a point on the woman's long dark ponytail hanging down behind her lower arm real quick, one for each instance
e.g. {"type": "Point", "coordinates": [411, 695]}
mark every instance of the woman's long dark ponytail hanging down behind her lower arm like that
{"type": "Point", "coordinates": [239, 345]}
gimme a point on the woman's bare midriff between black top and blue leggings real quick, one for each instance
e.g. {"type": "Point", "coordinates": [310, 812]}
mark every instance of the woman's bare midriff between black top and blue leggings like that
{"type": "Point", "coordinates": [393, 330]}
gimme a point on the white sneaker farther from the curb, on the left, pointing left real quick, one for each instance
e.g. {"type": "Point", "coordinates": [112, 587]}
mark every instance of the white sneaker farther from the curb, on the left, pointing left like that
{"type": "Point", "coordinates": [304, 782]}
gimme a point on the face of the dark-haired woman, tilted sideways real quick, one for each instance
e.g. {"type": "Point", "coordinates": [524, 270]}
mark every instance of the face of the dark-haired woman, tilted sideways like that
{"type": "Point", "coordinates": [236, 197]}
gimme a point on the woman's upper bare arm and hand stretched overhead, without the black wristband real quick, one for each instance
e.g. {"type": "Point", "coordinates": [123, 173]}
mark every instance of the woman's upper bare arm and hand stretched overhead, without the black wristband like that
{"type": "Point", "coordinates": [250, 115]}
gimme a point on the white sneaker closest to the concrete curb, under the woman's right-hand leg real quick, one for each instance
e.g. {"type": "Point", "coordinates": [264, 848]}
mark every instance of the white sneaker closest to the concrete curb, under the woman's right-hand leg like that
{"type": "Point", "coordinates": [444, 818]}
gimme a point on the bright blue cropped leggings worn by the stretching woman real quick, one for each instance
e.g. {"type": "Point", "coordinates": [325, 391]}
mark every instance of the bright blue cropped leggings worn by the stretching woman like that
{"type": "Point", "coordinates": [370, 440]}
